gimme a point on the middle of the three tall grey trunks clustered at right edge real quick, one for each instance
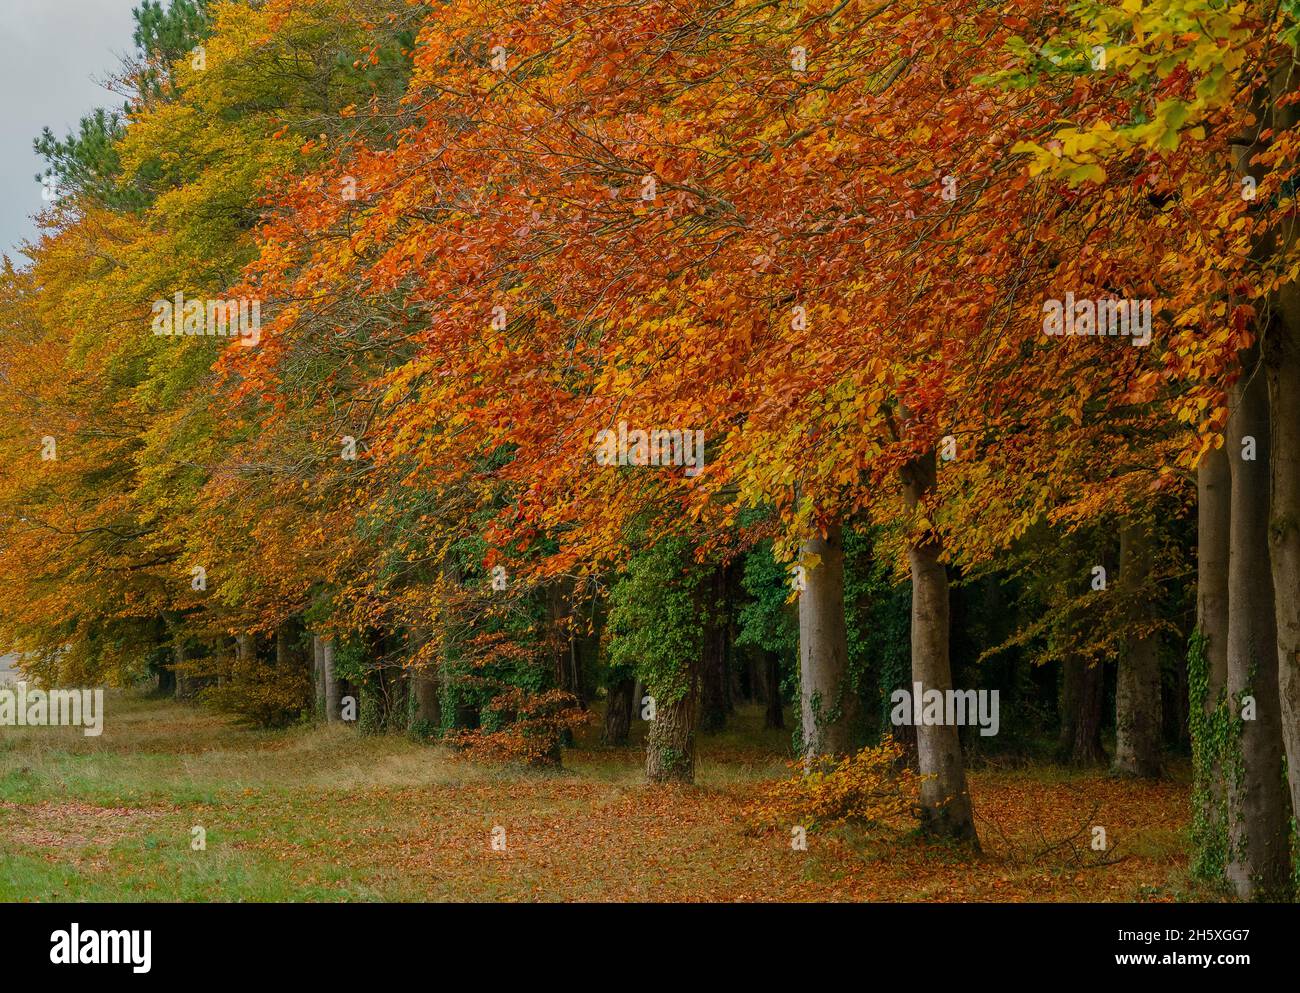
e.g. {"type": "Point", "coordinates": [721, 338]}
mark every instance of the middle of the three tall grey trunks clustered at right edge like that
{"type": "Point", "coordinates": [1259, 809]}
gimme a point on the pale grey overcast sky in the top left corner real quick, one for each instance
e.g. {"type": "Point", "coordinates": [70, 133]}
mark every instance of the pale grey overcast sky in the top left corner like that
{"type": "Point", "coordinates": [53, 54]}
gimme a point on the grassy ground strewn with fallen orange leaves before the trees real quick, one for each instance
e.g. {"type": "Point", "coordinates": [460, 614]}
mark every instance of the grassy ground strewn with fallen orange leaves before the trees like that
{"type": "Point", "coordinates": [324, 814]}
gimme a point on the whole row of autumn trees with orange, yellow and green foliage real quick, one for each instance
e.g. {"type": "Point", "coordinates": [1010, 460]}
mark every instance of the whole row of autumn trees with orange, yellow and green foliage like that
{"type": "Point", "coordinates": [652, 348]}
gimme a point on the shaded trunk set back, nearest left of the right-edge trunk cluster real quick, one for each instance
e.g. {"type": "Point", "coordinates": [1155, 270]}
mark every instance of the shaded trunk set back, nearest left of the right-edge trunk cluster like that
{"type": "Point", "coordinates": [1138, 729]}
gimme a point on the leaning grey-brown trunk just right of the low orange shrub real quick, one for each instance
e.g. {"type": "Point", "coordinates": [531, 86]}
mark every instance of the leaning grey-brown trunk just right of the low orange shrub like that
{"type": "Point", "coordinates": [944, 796]}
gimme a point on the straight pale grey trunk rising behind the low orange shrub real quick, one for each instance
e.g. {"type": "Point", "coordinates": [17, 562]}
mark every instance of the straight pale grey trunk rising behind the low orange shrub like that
{"type": "Point", "coordinates": [829, 705]}
